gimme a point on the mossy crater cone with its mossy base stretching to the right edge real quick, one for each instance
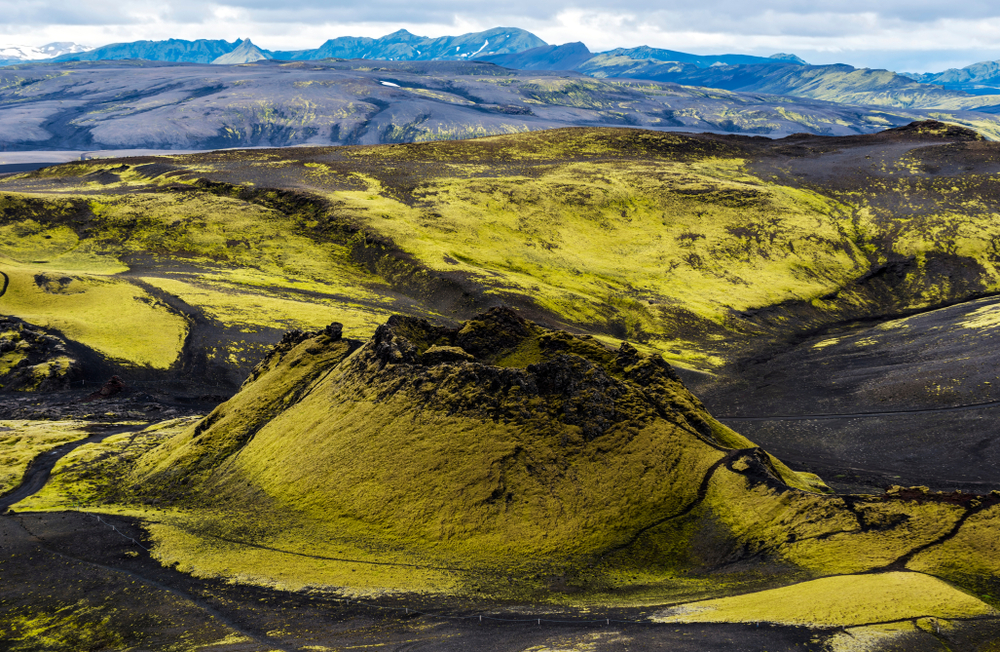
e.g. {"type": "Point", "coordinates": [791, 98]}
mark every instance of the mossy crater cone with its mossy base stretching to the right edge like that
{"type": "Point", "coordinates": [499, 457]}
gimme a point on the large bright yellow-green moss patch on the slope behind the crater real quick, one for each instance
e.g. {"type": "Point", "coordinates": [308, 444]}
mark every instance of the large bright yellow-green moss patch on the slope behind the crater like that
{"type": "Point", "coordinates": [628, 249]}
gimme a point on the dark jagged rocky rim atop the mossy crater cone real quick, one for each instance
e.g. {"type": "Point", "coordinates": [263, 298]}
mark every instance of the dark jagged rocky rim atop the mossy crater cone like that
{"type": "Point", "coordinates": [504, 368]}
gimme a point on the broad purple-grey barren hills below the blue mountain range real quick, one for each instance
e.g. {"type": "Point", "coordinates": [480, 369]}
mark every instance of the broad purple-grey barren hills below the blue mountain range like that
{"type": "Point", "coordinates": [116, 105]}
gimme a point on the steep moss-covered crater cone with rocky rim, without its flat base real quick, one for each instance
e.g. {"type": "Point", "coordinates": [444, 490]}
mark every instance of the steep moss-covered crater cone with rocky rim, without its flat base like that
{"type": "Point", "coordinates": [416, 443]}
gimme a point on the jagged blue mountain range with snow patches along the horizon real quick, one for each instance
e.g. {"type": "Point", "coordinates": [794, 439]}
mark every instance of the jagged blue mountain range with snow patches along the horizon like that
{"type": "Point", "coordinates": [976, 87]}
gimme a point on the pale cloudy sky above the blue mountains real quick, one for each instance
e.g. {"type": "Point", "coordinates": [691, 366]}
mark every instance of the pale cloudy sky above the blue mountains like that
{"type": "Point", "coordinates": [915, 35]}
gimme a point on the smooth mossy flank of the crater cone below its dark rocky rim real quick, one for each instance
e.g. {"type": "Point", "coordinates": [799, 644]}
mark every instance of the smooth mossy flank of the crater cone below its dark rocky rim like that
{"type": "Point", "coordinates": [485, 498]}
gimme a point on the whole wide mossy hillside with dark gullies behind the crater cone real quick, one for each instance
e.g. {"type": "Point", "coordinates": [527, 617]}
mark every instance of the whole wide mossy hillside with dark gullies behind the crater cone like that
{"type": "Point", "coordinates": [701, 247]}
